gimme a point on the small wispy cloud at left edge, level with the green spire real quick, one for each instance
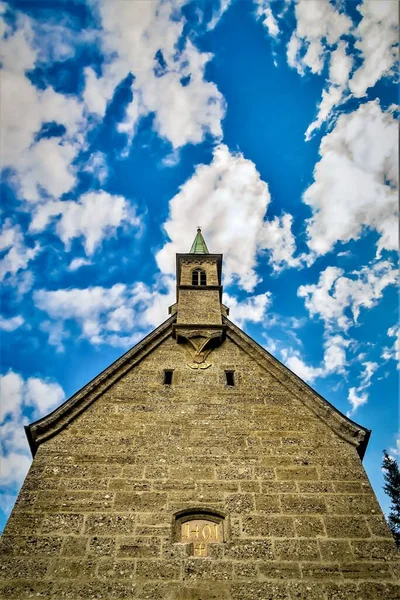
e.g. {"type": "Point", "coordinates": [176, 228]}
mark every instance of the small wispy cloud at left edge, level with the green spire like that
{"type": "Point", "coordinates": [18, 255]}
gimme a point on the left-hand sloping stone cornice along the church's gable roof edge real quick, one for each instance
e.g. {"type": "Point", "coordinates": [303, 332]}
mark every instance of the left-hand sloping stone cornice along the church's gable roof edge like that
{"type": "Point", "coordinates": [48, 426]}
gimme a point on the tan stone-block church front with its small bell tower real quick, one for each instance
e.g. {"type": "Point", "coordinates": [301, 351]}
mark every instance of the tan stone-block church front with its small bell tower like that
{"type": "Point", "coordinates": [197, 467]}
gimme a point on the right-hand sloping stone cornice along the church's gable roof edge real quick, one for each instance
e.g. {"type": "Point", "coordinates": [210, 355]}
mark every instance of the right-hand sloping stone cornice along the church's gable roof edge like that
{"type": "Point", "coordinates": [347, 429]}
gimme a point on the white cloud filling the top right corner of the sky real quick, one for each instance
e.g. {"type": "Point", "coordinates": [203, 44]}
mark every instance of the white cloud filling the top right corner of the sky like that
{"type": "Point", "coordinates": [377, 38]}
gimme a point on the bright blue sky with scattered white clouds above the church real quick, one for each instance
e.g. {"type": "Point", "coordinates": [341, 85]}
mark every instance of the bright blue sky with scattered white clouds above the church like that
{"type": "Point", "coordinates": [124, 125]}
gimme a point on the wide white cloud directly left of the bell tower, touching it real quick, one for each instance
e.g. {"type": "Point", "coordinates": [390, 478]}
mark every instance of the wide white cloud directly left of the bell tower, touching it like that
{"type": "Point", "coordinates": [118, 316]}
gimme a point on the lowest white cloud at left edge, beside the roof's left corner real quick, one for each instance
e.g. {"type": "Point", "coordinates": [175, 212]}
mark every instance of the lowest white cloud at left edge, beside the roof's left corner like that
{"type": "Point", "coordinates": [16, 395]}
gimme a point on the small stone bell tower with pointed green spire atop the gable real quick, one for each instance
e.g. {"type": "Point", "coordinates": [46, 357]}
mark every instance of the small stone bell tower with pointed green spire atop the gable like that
{"type": "Point", "coordinates": [199, 307]}
